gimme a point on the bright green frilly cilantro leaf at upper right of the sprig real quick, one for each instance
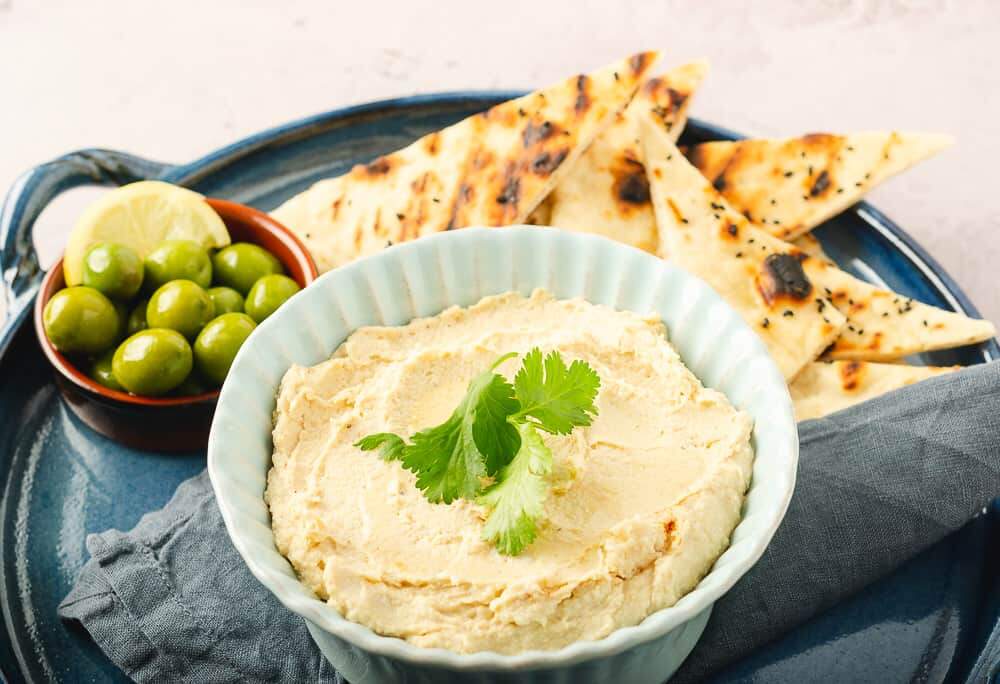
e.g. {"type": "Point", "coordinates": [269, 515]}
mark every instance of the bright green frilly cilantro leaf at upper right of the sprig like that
{"type": "Point", "coordinates": [559, 398]}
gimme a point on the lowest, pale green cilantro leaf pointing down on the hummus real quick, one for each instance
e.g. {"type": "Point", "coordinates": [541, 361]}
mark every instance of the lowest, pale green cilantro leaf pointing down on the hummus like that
{"type": "Point", "coordinates": [519, 494]}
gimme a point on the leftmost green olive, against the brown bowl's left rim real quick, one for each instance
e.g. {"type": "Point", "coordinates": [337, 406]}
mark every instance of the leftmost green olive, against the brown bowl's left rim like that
{"type": "Point", "coordinates": [80, 320]}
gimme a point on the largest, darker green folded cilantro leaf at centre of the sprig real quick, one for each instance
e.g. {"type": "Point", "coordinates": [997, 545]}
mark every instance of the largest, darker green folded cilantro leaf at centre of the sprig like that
{"type": "Point", "coordinates": [451, 459]}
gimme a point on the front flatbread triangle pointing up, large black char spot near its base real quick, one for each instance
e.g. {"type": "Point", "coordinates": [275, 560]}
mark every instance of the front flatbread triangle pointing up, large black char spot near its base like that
{"type": "Point", "coordinates": [759, 275]}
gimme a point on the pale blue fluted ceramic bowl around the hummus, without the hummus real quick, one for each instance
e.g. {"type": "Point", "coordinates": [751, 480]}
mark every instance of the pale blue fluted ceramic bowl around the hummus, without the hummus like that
{"type": "Point", "coordinates": [421, 278]}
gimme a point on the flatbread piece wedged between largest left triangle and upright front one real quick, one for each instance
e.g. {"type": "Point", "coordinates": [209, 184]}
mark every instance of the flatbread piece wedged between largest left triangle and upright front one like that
{"type": "Point", "coordinates": [606, 192]}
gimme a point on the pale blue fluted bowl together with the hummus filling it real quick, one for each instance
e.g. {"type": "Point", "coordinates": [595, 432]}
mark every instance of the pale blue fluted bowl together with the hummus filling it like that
{"type": "Point", "coordinates": [646, 512]}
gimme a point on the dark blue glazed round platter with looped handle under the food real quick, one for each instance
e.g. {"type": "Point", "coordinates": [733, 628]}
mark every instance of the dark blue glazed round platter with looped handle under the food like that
{"type": "Point", "coordinates": [929, 622]}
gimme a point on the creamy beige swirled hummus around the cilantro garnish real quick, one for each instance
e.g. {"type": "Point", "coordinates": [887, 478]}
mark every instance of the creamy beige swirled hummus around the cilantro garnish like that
{"type": "Point", "coordinates": [642, 504]}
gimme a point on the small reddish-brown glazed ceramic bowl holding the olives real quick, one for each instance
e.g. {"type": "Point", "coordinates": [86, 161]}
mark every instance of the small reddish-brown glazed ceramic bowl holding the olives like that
{"type": "Point", "coordinates": [167, 423]}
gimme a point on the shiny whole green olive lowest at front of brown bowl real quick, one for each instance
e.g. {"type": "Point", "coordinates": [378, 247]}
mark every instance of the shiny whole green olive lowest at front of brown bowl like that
{"type": "Point", "coordinates": [152, 362]}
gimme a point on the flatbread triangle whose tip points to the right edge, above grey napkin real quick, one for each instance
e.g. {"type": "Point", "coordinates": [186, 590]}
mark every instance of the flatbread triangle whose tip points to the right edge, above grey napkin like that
{"type": "Point", "coordinates": [883, 325]}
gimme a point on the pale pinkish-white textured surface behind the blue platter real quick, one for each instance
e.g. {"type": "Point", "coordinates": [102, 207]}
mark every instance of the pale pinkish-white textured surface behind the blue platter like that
{"type": "Point", "coordinates": [213, 72]}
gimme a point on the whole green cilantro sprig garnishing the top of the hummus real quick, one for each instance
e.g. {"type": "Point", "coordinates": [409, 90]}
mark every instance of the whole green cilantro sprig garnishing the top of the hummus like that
{"type": "Point", "coordinates": [490, 450]}
